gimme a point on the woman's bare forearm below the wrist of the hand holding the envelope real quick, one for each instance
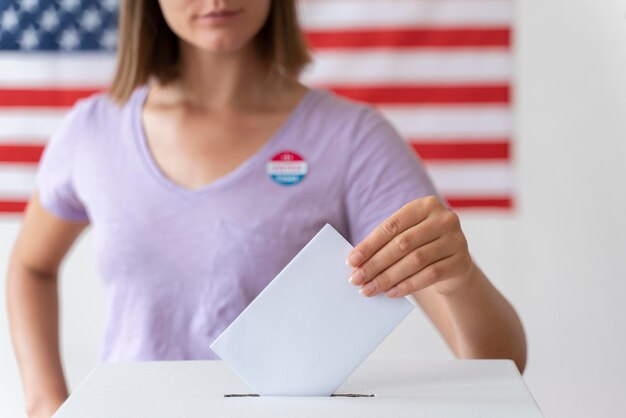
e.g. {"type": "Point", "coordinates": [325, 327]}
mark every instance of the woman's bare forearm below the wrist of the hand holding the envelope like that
{"type": "Point", "coordinates": [485, 324]}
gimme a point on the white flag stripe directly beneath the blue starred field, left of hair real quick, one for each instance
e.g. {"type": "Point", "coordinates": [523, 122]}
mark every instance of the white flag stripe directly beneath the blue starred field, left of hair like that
{"type": "Point", "coordinates": [55, 70]}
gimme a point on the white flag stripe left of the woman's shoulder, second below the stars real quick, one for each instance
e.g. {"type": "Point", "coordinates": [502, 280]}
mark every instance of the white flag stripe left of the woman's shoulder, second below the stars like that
{"type": "Point", "coordinates": [25, 125]}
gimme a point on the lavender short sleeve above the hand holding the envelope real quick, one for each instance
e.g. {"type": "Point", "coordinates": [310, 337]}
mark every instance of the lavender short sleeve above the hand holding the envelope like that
{"type": "Point", "coordinates": [383, 175]}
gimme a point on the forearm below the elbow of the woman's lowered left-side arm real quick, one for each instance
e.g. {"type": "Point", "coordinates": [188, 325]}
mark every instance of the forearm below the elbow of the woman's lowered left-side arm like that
{"type": "Point", "coordinates": [33, 307]}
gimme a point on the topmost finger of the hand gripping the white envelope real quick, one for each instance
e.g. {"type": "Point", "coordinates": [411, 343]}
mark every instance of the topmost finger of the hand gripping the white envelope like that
{"type": "Point", "coordinates": [407, 216]}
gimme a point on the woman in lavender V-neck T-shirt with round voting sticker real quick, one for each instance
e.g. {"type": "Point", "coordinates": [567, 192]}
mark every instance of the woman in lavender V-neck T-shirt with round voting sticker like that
{"type": "Point", "coordinates": [203, 171]}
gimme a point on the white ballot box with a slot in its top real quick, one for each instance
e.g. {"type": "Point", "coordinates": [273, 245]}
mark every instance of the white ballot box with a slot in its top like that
{"type": "Point", "coordinates": [377, 389]}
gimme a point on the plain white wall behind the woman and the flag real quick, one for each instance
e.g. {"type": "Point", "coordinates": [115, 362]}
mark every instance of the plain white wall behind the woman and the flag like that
{"type": "Point", "coordinates": [559, 257]}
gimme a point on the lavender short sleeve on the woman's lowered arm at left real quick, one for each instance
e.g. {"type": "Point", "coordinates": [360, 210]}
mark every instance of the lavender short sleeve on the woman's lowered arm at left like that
{"type": "Point", "coordinates": [55, 181]}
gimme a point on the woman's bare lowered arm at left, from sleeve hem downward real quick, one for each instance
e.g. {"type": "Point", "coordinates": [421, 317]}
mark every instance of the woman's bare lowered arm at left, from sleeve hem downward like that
{"type": "Point", "coordinates": [32, 301]}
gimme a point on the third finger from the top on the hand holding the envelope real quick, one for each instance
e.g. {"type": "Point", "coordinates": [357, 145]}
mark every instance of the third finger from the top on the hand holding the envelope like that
{"type": "Point", "coordinates": [413, 263]}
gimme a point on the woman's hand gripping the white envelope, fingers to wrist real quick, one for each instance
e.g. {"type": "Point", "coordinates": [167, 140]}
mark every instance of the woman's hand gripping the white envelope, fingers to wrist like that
{"type": "Point", "coordinates": [420, 245]}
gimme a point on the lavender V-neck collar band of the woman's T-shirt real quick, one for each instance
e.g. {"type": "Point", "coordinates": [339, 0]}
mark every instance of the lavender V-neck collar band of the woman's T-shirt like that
{"type": "Point", "coordinates": [264, 153]}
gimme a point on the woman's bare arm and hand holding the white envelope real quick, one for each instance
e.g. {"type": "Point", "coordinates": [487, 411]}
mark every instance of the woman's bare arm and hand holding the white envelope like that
{"type": "Point", "coordinates": [421, 251]}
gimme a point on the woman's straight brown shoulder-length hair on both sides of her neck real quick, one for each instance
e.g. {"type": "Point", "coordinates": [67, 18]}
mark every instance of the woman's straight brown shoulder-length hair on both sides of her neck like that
{"type": "Point", "coordinates": [148, 47]}
